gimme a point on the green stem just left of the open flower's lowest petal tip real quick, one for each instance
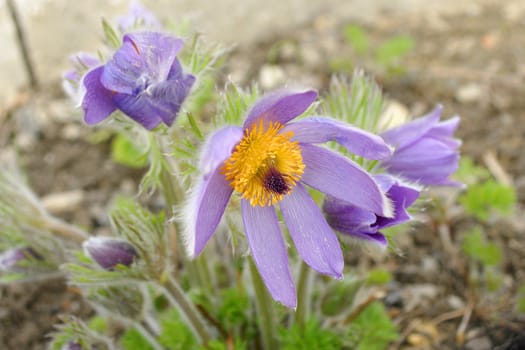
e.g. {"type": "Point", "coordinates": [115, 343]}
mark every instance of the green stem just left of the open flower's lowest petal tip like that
{"type": "Point", "coordinates": [265, 310]}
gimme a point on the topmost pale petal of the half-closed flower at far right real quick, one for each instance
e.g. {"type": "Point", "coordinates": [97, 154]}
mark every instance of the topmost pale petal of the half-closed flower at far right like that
{"type": "Point", "coordinates": [405, 134]}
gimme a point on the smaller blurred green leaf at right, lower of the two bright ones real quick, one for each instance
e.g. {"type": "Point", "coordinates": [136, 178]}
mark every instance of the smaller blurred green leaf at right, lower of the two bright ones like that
{"type": "Point", "coordinates": [475, 247]}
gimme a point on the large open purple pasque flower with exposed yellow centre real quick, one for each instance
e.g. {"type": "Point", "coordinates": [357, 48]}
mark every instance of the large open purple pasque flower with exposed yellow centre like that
{"type": "Point", "coordinates": [269, 161]}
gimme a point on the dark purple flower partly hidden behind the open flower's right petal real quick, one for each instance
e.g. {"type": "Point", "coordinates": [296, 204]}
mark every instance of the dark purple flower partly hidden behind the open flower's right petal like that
{"type": "Point", "coordinates": [364, 225]}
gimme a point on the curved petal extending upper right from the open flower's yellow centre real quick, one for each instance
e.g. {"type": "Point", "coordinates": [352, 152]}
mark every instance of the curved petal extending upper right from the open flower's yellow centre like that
{"type": "Point", "coordinates": [355, 140]}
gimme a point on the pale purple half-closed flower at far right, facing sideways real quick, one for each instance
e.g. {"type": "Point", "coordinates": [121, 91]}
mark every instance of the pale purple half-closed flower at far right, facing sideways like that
{"type": "Point", "coordinates": [425, 150]}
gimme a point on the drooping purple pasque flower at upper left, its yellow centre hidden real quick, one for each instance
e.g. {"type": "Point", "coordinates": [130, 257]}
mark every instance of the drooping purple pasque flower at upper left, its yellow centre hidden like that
{"type": "Point", "coordinates": [144, 80]}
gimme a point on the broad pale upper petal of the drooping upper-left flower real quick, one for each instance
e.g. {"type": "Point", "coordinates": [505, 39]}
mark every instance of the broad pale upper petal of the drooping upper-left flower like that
{"type": "Point", "coordinates": [143, 56]}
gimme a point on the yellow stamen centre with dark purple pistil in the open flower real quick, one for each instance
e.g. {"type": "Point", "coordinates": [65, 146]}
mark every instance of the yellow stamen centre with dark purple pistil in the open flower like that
{"type": "Point", "coordinates": [266, 165]}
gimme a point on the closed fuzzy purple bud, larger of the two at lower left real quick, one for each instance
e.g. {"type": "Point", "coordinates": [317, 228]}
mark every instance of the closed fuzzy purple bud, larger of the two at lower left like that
{"type": "Point", "coordinates": [109, 252]}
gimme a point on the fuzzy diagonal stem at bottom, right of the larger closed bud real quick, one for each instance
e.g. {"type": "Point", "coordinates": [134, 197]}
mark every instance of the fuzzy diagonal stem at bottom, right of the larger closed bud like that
{"type": "Point", "coordinates": [187, 310]}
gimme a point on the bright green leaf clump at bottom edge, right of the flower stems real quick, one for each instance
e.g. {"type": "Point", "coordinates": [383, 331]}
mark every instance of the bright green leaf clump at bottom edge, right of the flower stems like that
{"type": "Point", "coordinates": [373, 329]}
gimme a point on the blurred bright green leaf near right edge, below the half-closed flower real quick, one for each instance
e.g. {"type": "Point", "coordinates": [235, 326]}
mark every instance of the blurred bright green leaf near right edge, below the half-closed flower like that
{"type": "Point", "coordinates": [482, 199]}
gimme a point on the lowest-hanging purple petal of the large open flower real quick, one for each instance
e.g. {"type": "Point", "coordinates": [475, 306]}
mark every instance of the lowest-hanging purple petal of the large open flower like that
{"type": "Point", "coordinates": [269, 251]}
